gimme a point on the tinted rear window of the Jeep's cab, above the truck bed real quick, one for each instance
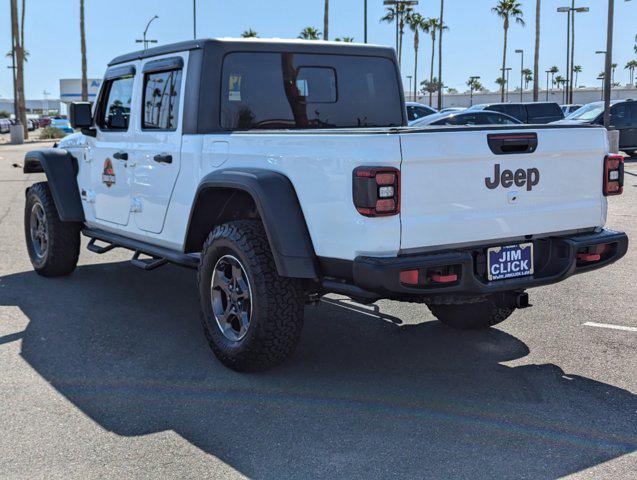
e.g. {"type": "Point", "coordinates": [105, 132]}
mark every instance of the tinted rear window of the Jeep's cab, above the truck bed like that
{"type": "Point", "coordinates": [287, 90]}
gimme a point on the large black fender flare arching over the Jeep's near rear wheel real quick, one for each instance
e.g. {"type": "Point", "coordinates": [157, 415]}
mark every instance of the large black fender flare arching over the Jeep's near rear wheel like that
{"type": "Point", "coordinates": [280, 211]}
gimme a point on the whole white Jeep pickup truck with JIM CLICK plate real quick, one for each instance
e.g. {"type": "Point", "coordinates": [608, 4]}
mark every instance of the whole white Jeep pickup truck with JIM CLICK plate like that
{"type": "Point", "coordinates": [284, 170]}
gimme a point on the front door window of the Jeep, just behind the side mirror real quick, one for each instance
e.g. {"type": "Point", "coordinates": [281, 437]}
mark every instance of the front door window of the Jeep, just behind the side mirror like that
{"type": "Point", "coordinates": [116, 104]}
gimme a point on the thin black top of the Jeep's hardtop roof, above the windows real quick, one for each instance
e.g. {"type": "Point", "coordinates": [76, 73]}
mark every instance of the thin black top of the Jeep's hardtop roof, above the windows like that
{"type": "Point", "coordinates": [258, 44]}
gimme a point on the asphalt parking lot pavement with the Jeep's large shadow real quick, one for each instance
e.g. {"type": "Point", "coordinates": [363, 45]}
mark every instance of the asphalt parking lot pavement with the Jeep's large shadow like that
{"type": "Point", "coordinates": [106, 374]}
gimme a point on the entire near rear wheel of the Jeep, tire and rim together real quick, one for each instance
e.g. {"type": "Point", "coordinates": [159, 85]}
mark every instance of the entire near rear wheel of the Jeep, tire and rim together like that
{"type": "Point", "coordinates": [252, 317]}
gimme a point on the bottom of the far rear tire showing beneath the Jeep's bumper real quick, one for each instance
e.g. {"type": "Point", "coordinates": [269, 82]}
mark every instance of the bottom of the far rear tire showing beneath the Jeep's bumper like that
{"type": "Point", "coordinates": [471, 316]}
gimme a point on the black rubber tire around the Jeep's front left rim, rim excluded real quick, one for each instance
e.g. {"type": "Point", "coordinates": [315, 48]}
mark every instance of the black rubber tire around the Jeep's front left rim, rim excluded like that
{"type": "Point", "coordinates": [63, 248]}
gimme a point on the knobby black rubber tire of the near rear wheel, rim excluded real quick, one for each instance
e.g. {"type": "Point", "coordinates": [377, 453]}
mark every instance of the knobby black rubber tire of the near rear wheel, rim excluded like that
{"type": "Point", "coordinates": [277, 302]}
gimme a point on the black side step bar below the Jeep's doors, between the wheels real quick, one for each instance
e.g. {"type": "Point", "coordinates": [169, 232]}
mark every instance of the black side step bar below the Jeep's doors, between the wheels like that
{"type": "Point", "coordinates": [160, 255]}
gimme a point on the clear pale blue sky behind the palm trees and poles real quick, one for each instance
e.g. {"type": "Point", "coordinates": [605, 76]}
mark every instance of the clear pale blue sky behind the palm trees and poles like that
{"type": "Point", "coordinates": [472, 46]}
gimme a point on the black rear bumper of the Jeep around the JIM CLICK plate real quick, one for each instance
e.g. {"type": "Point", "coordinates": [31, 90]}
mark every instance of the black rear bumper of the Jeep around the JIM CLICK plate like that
{"type": "Point", "coordinates": [555, 260]}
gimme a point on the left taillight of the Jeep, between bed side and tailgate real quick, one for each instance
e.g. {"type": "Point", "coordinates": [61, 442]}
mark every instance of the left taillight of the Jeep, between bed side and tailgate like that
{"type": "Point", "coordinates": [376, 191]}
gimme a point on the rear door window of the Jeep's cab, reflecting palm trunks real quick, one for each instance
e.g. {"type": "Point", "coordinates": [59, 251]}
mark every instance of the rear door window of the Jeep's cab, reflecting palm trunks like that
{"type": "Point", "coordinates": [161, 100]}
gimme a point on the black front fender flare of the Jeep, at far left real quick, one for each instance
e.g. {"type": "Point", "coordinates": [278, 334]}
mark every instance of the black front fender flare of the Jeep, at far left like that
{"type": "Point", "coordinates": [61, 170]}
